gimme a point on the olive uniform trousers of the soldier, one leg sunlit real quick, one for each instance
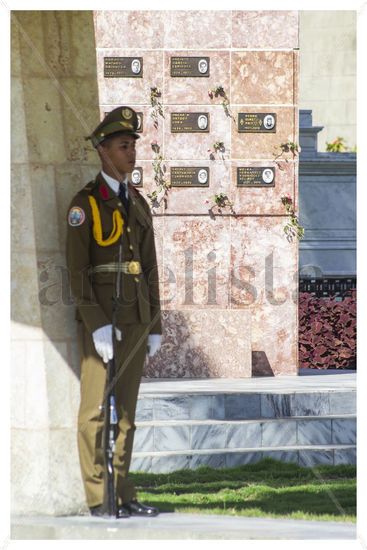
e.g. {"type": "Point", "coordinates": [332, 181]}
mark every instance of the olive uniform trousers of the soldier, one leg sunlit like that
{"type": "Point", "coordinates": [130, 356]}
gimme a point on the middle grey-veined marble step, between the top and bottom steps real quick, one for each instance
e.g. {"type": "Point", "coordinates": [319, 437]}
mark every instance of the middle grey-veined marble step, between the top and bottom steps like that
{"type": "Point", "coordinates": [178, 435]}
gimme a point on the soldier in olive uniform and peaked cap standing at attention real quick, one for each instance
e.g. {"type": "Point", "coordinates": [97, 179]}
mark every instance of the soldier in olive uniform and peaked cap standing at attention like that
{"type": "Point", "coordinates": [107, 212]}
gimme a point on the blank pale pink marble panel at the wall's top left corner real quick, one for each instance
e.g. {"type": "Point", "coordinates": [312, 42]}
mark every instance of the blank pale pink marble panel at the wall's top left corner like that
{"type": "Point", "coordinates": [129, 28]}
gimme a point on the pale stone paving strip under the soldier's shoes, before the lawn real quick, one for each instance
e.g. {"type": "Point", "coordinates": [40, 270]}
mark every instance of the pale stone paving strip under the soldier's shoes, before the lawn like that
{"type": "Point", "coordinates": [173, 525]}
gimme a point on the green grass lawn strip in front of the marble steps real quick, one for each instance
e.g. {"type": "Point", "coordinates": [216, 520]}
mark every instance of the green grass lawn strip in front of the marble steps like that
{"type": "Point", "coordinates": [269, 488]}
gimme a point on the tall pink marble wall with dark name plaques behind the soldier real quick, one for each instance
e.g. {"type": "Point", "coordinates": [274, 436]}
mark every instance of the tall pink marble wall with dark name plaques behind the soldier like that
{"type": "Point", "coordinates": [229, 284]}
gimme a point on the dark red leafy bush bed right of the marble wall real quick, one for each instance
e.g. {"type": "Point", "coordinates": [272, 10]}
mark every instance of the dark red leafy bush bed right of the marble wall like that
{"type": "Point", "coordinates": [327, 332]}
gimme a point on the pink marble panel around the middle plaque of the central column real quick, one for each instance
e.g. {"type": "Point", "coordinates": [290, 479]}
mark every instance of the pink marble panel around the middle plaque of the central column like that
{"type": "Point", "coordinates": [182, 146]}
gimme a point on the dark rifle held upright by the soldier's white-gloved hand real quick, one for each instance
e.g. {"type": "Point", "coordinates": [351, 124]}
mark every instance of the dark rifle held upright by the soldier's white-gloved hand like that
{"type": "Point", "coordinates": [110, 413]}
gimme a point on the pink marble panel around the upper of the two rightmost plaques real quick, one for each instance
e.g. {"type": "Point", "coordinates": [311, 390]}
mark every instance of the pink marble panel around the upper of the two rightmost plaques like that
{"type": "Point", "coordinates": [264, 145]}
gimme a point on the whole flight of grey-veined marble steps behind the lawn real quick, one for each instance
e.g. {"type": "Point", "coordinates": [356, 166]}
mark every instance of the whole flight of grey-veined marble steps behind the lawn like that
{"type": "Point", "coordinates": [178, 430]}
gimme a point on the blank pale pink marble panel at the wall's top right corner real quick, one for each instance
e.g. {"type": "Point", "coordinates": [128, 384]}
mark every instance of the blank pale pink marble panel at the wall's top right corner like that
{"type": "Point", "coordinates": [264, 29]}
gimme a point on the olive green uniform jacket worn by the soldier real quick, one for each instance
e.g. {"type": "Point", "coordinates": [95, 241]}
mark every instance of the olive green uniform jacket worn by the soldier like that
{"type": "Point", "coordinates": [139, 293]}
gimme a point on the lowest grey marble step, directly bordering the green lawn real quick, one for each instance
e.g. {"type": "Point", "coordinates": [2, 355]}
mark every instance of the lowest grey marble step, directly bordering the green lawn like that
{"type": "Point", "coordinates": [313, 455]}
